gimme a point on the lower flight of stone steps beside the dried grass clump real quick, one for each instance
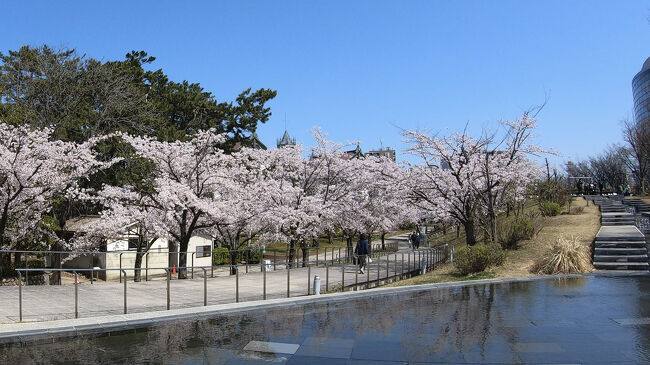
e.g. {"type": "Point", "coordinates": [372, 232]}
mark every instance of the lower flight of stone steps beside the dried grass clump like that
{"type": "Point", "coordinates": [620, 248]}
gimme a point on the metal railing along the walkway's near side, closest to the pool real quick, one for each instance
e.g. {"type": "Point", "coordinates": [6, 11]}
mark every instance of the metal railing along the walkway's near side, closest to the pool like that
{"type": "Point", "coordinates": [393, 265]}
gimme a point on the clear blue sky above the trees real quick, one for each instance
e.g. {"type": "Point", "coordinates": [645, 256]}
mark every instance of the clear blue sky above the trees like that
{"type": "Point", "coordinates": [362, 70]}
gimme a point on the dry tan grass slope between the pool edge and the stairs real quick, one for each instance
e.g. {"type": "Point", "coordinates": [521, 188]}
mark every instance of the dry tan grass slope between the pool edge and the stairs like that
{"type": "Point", "coordinates": [584, 226]}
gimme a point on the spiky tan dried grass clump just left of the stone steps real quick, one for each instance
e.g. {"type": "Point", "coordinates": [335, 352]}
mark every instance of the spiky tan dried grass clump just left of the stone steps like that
{"type": "Point", "coordinates": [566, 256]}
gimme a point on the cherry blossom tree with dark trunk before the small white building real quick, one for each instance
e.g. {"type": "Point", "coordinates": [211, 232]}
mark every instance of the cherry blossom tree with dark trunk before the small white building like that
{"type": "Point", "coordinates": [182, 195]}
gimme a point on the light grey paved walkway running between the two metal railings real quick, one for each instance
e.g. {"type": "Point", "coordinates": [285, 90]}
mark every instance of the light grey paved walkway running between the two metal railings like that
{"type": "Point", "coordinates": [42, 303]}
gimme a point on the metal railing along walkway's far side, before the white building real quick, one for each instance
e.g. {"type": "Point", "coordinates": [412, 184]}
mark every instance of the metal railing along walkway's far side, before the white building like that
{"type": "Point", "coordinates": [246, 258]}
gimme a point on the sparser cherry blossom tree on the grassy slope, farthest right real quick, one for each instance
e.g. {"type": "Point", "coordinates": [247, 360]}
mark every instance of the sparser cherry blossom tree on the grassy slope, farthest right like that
{"type": "Point", "coordinates": [470, 178]}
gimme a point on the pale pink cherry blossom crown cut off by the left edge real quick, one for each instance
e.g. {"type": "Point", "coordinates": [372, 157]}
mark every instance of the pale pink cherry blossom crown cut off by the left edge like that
{"type": "Point", "coordinates": [34, 169]}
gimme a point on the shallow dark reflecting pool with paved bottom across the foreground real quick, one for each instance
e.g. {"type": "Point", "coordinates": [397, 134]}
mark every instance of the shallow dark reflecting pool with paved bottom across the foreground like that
{"type": "Point", "coordinates": [592, 319]}
